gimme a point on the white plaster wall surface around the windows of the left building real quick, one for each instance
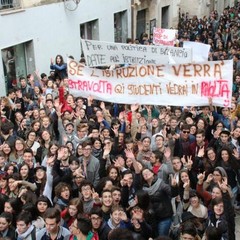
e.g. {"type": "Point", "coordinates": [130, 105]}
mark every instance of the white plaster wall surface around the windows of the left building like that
{"type": "Point", "coordinates": [54, 30]}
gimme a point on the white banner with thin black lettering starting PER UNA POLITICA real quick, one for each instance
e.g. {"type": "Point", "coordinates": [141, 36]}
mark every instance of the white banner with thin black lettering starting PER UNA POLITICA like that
{"type": "Point", "coordinates": [99, 53]}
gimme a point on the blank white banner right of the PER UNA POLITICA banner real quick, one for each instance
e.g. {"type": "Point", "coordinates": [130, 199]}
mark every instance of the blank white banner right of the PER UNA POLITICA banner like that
{"type": "Point", "coordinates": [200, 51]}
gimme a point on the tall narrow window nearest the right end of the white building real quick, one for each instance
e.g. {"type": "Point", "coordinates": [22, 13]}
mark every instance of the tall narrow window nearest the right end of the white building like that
{"type": "Point", "coordinates": [120, 26]}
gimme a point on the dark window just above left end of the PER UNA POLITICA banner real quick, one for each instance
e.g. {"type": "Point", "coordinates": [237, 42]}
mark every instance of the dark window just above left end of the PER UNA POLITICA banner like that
{"type": "Point", "coordinates": [90, 30]}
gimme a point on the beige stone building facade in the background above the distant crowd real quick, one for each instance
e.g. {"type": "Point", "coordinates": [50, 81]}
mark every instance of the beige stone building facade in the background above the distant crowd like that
{"type": "Point", "coordinates": [148, 14]}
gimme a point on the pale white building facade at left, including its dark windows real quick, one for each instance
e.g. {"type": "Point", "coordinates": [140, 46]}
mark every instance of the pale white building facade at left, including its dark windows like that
{"type": "Point", "coordinates": [33, 32]}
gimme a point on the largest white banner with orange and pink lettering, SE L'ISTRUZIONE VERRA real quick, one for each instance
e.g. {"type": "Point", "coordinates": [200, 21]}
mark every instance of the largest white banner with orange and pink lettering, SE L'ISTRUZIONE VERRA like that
{"type": "Point", "coordinates": [177, 85]}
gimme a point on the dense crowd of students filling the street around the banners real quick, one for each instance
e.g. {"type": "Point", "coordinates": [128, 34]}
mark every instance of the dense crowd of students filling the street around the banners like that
{"type": "Point", "coordinates": [76, 168]}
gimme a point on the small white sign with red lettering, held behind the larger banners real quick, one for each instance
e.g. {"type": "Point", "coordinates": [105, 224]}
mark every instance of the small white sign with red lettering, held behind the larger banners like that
{"type": "Point", "coordinates": [163, 36]}
